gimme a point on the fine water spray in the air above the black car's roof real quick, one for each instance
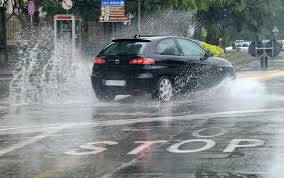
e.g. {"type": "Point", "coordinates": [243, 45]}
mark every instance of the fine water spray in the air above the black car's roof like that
{"type": "Point", "coordinates": [172, 23]}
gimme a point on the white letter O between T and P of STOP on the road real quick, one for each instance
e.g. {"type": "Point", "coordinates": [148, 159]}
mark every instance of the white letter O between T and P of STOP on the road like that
{"type": "Point", "coordinates": [208, 145]}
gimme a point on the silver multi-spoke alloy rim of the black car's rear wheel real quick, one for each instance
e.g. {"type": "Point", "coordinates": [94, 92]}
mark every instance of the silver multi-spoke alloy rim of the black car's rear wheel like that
{"type": "Point", "coordinates": [165, 89]}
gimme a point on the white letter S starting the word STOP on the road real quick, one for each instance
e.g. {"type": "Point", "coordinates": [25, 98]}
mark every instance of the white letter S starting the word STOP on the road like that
{"type": "Point", "coordinates": [90, 148]}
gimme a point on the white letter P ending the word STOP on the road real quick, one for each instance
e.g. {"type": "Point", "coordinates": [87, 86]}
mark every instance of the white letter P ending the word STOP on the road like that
{"type": "Point", "coordinates": [235, 143]}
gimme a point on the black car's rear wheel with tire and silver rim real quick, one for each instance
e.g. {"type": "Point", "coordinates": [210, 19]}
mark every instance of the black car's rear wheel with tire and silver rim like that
{"type": "Point", "coordinates": [164, 90]}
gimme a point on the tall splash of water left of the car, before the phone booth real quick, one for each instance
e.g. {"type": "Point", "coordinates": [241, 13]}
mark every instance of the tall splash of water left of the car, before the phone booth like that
{"type": "Point", "coordinates": [44, 75]}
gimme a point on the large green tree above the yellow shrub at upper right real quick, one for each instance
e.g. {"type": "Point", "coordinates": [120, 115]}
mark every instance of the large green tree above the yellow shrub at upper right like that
{"type": "Point", "coordinates": [255, 17]}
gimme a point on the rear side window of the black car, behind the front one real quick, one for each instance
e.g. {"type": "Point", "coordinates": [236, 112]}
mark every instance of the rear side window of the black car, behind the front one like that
{"type": "Point", "coordinates": [167, 47]}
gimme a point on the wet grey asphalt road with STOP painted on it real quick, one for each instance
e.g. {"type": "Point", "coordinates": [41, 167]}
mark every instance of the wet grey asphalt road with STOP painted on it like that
{"type": "Point", "coordinates": [233, 130]}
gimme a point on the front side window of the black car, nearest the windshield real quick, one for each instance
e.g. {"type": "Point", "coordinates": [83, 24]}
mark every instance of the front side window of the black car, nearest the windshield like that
{"type": "Point", "coordinates": [189, 48]}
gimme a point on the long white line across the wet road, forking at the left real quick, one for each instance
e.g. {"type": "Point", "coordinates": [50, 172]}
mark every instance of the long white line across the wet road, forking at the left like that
{"type": "Point", "coordinates": [56, 127]}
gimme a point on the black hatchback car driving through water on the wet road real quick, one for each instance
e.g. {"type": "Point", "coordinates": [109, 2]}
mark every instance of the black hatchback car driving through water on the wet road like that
{"type": "Point", "coordinates": [160, 65]}
